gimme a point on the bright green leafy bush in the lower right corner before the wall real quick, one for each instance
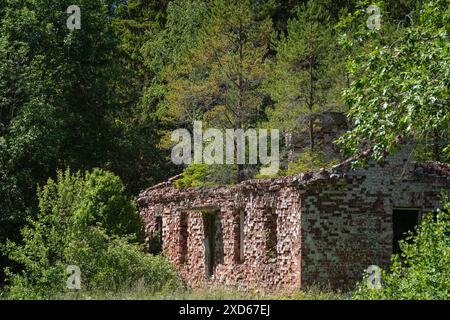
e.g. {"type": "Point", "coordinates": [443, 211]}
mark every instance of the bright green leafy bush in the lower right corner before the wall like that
{"type": "Point", "coordinates": [422, 270]}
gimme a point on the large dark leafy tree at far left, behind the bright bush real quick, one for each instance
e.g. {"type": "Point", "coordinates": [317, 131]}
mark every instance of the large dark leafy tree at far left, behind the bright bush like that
{"type": "Point", "coordinates": [53, 98]}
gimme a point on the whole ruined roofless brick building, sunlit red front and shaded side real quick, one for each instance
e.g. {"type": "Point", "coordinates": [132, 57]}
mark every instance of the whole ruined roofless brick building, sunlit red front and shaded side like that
{"type": "Point", "coordinates": [287, 233]}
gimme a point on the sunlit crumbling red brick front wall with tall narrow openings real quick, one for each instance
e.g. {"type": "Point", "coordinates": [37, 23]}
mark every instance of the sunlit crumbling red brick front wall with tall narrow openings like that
{"type": "Point", "coordinates": [257, 199]}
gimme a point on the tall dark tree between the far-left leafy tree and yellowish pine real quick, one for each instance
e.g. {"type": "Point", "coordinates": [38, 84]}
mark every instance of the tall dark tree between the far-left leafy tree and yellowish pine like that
{"type": "Point", "coordinates": [134, 154]}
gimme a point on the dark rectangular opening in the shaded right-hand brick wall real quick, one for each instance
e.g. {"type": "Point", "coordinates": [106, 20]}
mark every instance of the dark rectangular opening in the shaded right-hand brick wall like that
{"type": "Point", "coordinates": [403, 220]}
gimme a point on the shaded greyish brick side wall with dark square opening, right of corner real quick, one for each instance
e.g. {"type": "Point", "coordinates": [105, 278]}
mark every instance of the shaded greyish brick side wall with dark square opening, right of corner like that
{"type": "Point", "coordinates": [347, 222]}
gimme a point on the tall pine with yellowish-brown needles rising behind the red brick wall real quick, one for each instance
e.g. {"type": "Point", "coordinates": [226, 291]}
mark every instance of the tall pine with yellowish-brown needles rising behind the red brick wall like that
{"type": "Point", "coordinates": [221, 79]}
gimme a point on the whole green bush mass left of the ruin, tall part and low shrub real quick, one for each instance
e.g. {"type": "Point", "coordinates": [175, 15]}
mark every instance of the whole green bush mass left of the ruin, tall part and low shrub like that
{"type": "Point", "coordinates": [89, 222]}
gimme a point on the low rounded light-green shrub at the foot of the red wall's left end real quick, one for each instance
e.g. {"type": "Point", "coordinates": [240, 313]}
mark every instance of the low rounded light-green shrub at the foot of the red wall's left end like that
{"type": "Point", "coordinates": [112, 263]}
